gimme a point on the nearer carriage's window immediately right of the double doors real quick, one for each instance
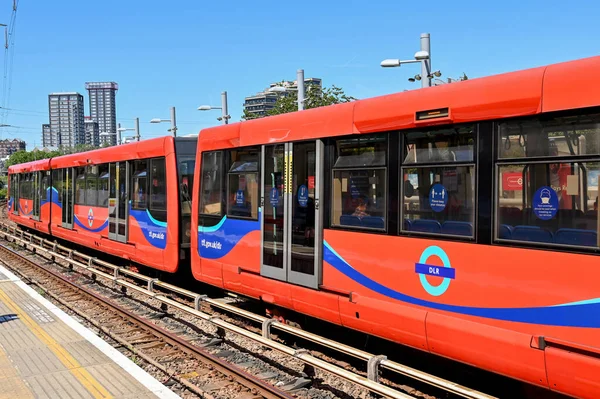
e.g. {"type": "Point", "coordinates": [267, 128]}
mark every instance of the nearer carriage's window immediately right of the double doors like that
{"type": "Point", "coordinates": [359, 183]}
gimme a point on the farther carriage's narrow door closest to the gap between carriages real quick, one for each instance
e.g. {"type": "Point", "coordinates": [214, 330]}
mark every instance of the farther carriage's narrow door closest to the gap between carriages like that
{"type": "Point", "coordinates": [118, 209]}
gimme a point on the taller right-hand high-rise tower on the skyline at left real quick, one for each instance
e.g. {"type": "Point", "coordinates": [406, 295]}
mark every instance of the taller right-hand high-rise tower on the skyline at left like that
{"type": "Point", "coordinates": [103, 108]}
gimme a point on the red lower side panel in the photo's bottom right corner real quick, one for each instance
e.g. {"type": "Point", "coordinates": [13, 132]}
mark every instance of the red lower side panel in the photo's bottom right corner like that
{"type": "Point", "coordinates": [573, 373]}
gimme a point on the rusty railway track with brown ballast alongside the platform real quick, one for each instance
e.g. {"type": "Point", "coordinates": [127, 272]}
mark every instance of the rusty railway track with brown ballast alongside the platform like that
{"type": "Point", "coordinates": [187, 364]}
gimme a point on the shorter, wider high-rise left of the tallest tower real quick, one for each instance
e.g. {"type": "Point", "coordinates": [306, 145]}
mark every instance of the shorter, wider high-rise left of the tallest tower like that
{"type": "Point", "coordinates": [66, 118]}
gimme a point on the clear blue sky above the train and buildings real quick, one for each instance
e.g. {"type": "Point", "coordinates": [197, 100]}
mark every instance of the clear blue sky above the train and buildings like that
{"type": "Point", "coordinates": [184, 53]}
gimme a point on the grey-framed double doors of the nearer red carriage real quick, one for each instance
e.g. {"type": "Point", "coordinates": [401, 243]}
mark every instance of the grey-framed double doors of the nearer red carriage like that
{"type": "Point", "coordinates": [291, 219]}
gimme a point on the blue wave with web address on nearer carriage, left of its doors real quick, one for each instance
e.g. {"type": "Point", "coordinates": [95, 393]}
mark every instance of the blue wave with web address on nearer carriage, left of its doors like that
{"type": "Point", "coordinates": [214, 242]}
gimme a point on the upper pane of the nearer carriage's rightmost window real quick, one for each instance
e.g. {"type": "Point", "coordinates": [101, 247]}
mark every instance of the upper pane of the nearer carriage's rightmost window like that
{"type": "Point", "coordinates": [577, 135]}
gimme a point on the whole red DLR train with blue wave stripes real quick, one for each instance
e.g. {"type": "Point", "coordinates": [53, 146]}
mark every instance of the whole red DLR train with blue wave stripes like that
{"type": "Point", "coordinates": [460, 219]}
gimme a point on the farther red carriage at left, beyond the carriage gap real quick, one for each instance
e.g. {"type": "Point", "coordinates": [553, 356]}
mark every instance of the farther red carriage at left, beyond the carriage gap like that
{"type": "Point", "coordinates": [124, 200]}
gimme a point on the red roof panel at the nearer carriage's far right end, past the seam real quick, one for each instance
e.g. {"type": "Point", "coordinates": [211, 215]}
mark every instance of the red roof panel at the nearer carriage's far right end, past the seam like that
{"type": "Point", "coordinates": [571, 85]}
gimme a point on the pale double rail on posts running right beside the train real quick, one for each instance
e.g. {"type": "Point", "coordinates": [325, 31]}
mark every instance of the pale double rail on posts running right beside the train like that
{"type": "Point", "coordinates": [378, 360]}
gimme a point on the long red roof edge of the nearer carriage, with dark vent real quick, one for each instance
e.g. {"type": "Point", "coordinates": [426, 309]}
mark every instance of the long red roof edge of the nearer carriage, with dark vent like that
{"type": "Point", "coordinates": [550, 88]}
